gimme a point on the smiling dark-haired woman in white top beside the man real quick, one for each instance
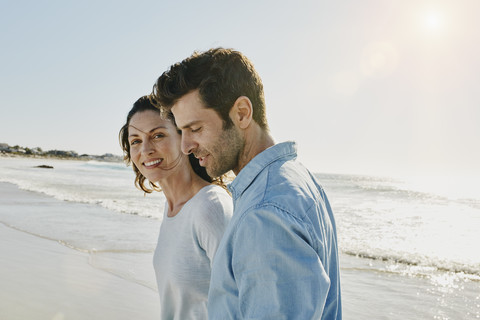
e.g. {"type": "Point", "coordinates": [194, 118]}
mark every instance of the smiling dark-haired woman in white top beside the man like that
{"type": "Point", "coordinates": [196, 213]}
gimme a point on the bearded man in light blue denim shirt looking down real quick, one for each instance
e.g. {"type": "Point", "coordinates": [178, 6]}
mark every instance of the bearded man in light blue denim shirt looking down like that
{"type": "Point", "coordinates": [278, 258]}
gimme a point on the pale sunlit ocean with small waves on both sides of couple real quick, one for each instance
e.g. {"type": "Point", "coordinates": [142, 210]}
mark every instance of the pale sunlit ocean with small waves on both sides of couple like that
{"type": "Point", "coordinates": [409, 249]}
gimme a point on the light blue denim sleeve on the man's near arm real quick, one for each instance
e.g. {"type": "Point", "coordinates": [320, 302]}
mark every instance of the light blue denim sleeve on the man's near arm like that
{"type": "Point", "coordinates": [279, 274]}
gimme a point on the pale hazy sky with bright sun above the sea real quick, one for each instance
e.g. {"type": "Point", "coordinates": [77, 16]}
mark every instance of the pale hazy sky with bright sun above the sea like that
{"type": "Point", "coordinates": [379, 87]}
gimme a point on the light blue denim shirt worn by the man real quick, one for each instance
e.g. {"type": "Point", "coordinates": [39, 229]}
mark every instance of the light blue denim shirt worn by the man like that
{"type": "Point", "coordinates": [278, 258]}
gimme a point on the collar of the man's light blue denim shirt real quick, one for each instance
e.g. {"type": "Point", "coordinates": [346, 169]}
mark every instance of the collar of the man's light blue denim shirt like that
{"type": "Point", "coordinates": [246, 176]}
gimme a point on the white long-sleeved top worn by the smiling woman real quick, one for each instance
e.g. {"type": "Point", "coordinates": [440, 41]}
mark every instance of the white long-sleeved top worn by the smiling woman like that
{"type": "Point", "coordinates": [186, 245]}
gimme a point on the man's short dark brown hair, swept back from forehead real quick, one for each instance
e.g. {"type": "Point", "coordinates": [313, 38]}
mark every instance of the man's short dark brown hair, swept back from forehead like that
{"type": "Point", "coordinates": [221, 76]}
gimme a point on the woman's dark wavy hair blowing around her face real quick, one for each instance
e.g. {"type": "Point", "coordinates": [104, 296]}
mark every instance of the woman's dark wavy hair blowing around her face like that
{"type": "Point", "coordinates": [144, 104]}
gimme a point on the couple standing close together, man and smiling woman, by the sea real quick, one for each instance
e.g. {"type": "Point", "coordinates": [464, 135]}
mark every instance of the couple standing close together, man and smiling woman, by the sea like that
{"type": "Point", "coordinates": [273, 254]}
